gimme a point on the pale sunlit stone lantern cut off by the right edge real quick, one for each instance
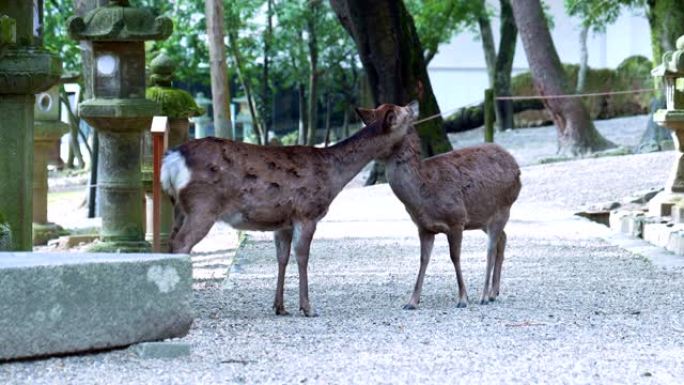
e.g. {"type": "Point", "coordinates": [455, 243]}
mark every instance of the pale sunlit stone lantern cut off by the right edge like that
{"type": "Point", "coordinates": [672, 117]}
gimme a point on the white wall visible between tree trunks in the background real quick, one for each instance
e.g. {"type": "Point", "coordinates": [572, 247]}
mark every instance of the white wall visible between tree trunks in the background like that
{"type": "Point", "coordinates": [458, 72]}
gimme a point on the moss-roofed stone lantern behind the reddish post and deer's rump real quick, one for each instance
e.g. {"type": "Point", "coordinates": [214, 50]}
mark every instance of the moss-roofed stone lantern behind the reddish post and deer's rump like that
{"type": "Point", "coordinates": [178, 105]}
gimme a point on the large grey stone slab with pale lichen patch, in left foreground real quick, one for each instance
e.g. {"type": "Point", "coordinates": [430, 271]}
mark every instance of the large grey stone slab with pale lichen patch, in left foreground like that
{"type": "Point", "coordinates": [53, 303]}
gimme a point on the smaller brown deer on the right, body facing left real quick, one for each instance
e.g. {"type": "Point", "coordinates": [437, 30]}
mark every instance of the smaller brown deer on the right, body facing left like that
{"type": "Point", "coordinates": [466, 189]}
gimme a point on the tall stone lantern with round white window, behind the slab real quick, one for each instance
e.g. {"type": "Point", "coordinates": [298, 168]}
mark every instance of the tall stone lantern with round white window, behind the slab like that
{"type": "Point", "coordinates": [116, 35]}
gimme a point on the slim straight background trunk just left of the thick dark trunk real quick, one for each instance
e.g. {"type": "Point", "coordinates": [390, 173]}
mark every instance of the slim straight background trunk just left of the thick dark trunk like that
{"type": "Point", "coordinates": [313, 71]}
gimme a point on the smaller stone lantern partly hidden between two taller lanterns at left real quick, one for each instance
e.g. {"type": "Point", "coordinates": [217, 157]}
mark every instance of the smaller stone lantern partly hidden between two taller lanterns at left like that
{"type": "Point", "coordinates": [48, 129]}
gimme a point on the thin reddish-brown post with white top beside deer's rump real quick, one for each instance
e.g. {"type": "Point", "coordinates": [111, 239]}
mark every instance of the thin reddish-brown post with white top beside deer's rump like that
{"type": "Point", "coordinates": [160, 125]}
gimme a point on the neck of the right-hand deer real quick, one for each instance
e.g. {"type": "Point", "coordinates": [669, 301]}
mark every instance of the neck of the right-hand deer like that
{"type": "Point", "coordinates": [404, 169]}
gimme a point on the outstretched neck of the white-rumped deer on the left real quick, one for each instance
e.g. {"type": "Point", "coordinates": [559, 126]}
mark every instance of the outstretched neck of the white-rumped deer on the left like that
{"type": "Point", "coordinates": [347, 158]}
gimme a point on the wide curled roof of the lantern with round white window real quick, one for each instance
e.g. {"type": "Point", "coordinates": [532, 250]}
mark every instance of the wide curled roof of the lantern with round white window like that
{"type": "Point", "coordinates": [118, 21]}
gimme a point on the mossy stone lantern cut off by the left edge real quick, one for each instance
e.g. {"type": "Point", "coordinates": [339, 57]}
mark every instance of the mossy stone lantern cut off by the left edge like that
{"type": "Point", "coordinates": [25, 69]}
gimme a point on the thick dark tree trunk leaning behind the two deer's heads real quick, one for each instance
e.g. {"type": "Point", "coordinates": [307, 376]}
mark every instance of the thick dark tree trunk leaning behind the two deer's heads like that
{"type": "Point", "coordinates": [392, 57]}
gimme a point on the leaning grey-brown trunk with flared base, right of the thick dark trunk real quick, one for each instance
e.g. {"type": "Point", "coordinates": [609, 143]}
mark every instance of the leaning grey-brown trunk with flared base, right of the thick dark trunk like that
{"type": "Point", "coordinates": [576, 132]}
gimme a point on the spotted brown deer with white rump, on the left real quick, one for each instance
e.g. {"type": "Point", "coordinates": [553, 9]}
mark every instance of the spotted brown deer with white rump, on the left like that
{"type": "Point", "coordinates": [286, 190]}
